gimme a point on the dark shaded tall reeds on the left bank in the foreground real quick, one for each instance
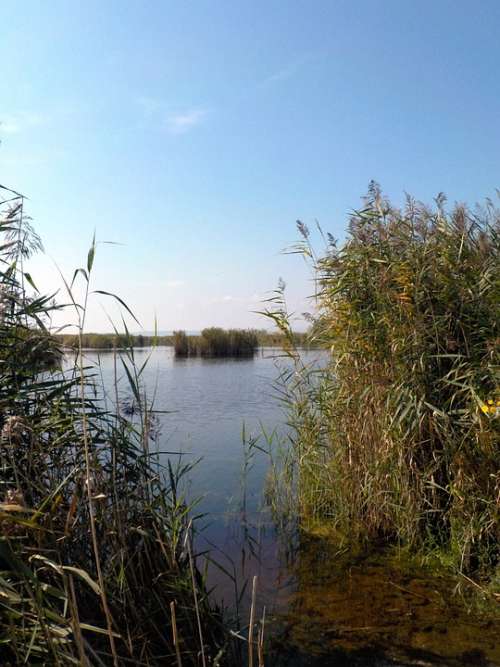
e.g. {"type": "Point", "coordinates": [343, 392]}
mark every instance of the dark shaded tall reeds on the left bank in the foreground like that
{"type": "Point", "coordinates": [96, 561]}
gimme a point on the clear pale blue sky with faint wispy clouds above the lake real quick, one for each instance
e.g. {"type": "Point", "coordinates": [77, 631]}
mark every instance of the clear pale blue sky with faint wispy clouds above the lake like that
{"type": "Point", "coordinates": [194, 134]}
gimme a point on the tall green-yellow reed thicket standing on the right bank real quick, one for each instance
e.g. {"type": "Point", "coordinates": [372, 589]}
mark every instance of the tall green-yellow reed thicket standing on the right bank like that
{"type": "Point", "coordinates": [397, 440]}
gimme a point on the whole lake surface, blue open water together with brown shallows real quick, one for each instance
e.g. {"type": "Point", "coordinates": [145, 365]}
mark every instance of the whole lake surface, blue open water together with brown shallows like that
{"type": "Point", "coordinates": [367, 613]}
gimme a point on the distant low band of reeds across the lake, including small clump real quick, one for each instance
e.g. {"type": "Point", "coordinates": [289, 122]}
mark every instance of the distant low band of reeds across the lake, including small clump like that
{"type": "Point", "coordinates": [213, 341]}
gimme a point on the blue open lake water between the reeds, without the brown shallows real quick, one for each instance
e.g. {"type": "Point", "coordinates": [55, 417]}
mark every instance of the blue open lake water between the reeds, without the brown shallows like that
{"type": "Point", "coordinates": [208, 409]}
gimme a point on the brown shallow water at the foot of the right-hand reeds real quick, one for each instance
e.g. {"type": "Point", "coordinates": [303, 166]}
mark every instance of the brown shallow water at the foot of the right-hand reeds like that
{"type": "Point", "coordinates": [374, 610]}
